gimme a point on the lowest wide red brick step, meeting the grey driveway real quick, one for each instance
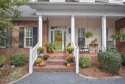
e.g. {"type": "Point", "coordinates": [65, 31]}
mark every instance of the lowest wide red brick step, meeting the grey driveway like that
{"type": "Point", "coordinates": [53, 68]}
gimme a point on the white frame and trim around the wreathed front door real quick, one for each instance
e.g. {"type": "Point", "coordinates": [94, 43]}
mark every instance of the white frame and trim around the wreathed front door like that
{"type": "Point", "coordinates": [63, 34]}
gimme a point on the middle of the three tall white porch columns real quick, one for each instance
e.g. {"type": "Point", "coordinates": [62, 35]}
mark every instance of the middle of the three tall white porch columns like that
{"type": "Point", "coordinates": [72, 29]}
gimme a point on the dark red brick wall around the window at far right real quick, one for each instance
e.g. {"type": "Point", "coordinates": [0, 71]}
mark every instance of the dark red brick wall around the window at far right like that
{"type": "Point", "coordinates": [120, 24]}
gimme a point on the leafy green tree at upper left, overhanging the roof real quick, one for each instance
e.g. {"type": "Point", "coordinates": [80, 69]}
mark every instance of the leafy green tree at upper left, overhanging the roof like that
{"type": "Point", "coordinates": [8, 12]}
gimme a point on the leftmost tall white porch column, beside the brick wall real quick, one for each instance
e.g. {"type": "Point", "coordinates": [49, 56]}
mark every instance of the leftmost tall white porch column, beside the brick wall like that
{"type": "Point", "coordinates": [40, 32]}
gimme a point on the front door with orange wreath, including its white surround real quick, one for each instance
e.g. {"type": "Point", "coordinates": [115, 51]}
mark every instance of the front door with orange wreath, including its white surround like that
{"type": "Point", "coordinates": [58, 37]}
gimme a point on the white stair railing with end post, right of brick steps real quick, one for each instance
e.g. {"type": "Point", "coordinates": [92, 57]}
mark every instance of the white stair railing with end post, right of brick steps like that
{"type": "Point", "coordinates": [76, 54]}
